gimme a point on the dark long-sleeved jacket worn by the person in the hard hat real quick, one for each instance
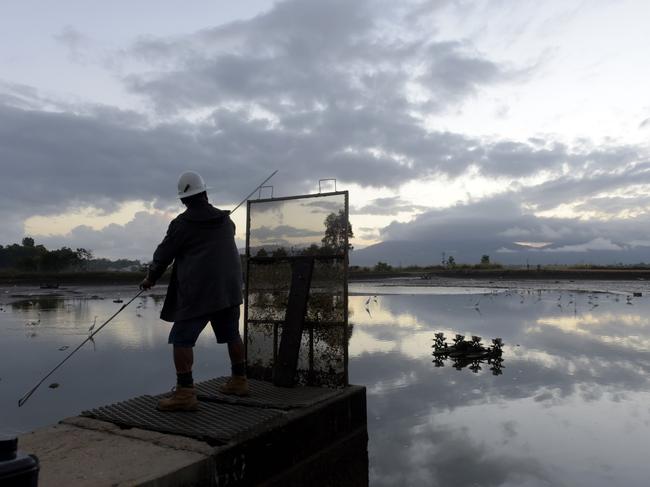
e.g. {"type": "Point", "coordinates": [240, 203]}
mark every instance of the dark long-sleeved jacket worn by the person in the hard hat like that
{"type": "Point", "coordinates": [206, 275]}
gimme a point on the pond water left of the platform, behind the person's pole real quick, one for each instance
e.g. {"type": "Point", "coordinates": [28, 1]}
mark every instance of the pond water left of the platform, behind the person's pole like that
{"type": "Point", "coordinates": [129, 357]}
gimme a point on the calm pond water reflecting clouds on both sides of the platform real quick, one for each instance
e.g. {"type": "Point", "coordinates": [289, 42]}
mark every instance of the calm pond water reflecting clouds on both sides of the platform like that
{"type": "Point", "coordinates": [570, 406]}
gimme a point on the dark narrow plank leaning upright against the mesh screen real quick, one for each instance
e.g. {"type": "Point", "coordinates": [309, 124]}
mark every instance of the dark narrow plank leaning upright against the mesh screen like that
{"type": "Point", "coordinates": [284, 369]}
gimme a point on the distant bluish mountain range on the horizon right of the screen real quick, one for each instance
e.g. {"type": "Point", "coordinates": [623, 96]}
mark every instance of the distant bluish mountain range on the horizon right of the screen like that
{"type": "Point", "coordinates": [404, 253]}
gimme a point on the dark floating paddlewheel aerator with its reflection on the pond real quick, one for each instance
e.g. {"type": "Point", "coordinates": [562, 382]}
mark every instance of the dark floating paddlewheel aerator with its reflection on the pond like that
{"type": "Point", "coordinates": [468, 353]}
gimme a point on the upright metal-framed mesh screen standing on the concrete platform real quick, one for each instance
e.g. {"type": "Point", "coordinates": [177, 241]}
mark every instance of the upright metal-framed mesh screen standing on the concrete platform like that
{"type": "Point", "coordinates": [285, 237]}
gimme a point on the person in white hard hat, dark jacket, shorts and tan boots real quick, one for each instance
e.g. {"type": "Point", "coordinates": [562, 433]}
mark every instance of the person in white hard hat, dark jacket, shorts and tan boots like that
{"type": "Point", "coordinates": [205, 285]}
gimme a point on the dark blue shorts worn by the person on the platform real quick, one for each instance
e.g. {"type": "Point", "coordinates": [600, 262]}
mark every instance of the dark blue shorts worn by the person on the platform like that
{"type": "Point", "coordinates": [225, 324]}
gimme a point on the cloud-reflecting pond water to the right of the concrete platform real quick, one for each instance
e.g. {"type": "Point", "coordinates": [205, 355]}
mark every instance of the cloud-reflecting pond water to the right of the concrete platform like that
{"type": "Point", "coordinates": [571, 409]}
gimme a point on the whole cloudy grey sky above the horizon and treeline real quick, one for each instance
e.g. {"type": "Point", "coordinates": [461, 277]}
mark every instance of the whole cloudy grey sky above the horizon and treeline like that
{"type": "Point", "coordinates": [523, 123]}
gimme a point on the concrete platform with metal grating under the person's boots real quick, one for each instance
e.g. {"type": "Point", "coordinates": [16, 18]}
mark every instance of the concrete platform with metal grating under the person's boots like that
{"type": "Point", "coordinates": [276, 437]}
